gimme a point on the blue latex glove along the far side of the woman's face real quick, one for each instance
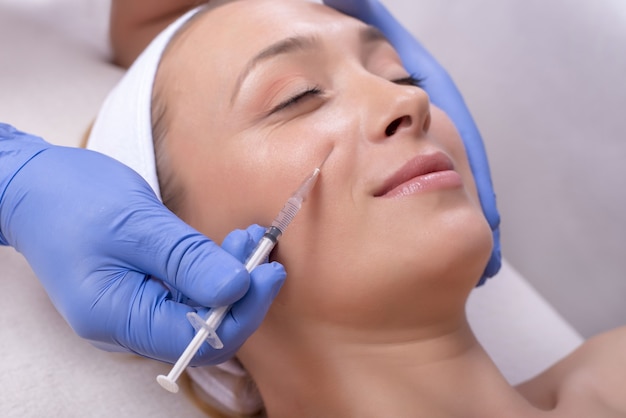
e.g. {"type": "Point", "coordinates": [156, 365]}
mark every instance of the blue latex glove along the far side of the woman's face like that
{"type": "Point", "coordinates": [444, 94]}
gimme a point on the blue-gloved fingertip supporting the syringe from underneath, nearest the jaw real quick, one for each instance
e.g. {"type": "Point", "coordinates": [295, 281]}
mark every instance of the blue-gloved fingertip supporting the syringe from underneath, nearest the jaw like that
{"type": "Point", "coordinates": [246, 315]}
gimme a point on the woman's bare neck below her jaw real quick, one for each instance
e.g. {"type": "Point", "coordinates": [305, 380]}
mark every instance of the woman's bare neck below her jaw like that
{"type": "Point", "coordinates": [442, 371]}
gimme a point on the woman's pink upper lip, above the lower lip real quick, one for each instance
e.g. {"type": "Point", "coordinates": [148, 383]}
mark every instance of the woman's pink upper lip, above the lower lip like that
{"type": "Point", "coordinates": [420, 166]}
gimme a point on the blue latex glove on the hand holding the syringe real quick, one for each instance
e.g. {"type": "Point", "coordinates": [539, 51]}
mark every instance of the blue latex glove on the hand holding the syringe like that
{"type": "Point", "coordinates": [95, 234]}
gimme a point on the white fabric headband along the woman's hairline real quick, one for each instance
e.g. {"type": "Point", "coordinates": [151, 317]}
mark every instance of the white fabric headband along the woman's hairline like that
{"type": "Point", "coordinates": [123, 127]}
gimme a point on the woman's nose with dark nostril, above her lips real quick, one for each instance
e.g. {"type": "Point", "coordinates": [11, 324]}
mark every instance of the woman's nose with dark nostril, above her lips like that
{"type": "Point", "coordinates": [396, 110]}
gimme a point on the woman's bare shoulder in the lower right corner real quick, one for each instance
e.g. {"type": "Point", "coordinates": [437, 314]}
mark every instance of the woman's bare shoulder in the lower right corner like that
{"type": "Point", "coordinates": [592, 378]}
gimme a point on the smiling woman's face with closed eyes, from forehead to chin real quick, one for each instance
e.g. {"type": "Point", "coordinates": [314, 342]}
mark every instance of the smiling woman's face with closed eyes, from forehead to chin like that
{"type": "Point", "coordinates": [257, 94]}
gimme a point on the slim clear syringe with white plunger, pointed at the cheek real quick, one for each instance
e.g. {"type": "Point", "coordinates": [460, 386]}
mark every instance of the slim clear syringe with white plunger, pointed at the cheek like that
{"type": "Point", "coordinates": [207, 328]}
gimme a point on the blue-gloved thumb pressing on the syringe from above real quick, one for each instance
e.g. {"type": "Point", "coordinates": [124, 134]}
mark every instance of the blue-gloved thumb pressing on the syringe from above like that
{"type": "Point", "coordinates": [177, 254]}
